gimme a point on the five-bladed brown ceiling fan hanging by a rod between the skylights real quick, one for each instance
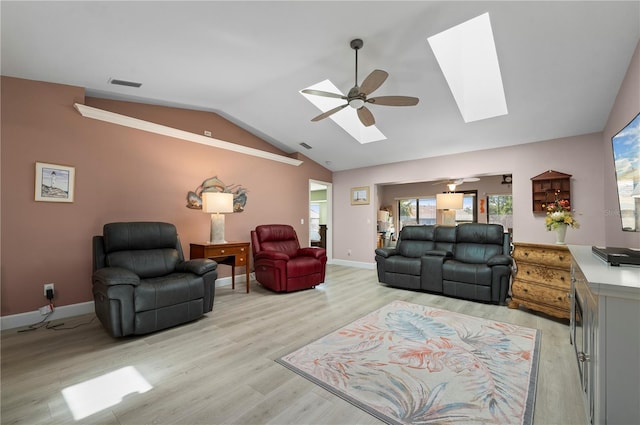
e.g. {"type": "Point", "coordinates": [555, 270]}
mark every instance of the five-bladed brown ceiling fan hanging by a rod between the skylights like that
{"type": "Point", "coordinates": [357, 96]}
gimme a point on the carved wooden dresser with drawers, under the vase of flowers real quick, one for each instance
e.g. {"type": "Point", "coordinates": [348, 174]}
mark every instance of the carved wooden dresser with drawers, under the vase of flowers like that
{"type": "Point", "coordinates": [543, 278]}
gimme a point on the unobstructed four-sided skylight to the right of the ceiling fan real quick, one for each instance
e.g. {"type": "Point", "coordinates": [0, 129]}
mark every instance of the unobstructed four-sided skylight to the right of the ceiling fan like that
{"type": "Point", "coordinates": [468, 59]}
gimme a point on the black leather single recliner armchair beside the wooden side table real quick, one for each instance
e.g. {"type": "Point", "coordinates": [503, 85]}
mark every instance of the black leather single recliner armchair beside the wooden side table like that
{"type": "Point", "coordinates": [141, 282]}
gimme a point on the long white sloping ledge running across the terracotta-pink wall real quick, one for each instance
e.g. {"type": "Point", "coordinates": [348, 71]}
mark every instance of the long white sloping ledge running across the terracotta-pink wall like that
{"type": "Point", "coordinates": [112, 117]}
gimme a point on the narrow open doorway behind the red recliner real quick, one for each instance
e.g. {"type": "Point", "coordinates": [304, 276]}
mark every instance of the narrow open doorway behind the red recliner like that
{"type": "Point", "coordinates": [321, 216]}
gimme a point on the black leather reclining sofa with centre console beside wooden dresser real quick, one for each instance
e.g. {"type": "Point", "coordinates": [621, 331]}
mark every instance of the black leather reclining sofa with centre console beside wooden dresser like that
{"type": "Point", "coordinates": [471, 260]}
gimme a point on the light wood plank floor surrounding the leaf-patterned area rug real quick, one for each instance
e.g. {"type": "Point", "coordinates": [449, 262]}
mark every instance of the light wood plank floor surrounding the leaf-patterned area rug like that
{"type": "Point", "coordinates": [221, 369]}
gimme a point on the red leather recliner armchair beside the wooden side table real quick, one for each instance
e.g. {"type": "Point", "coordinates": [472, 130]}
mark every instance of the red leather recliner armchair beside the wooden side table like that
{"type": "Point", "coordinates": [279, 262]}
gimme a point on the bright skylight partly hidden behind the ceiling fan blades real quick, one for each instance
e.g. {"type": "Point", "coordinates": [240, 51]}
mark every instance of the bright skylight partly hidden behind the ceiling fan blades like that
{"type": "Point", "coordinates": [347, 118]}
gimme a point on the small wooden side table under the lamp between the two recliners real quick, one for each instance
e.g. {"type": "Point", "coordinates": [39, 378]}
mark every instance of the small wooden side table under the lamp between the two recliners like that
{"type": "Point", "coordinates": [231, 253]}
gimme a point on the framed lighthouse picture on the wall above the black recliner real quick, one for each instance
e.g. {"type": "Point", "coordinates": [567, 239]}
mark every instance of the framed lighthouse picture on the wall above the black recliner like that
{"type": "Point", "coordinates": [54, 183]}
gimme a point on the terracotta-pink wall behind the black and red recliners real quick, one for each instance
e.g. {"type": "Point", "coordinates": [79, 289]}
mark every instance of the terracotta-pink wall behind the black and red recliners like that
{"type": "Point", "coordinates": [122, 174]}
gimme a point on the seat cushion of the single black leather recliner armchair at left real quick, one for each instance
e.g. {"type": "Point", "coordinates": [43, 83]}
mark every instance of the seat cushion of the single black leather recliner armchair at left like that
{"type": "Point", "coordinates": [167, 290]}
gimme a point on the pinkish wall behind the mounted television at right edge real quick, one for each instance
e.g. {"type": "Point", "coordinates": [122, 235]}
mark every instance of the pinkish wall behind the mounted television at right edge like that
{"type": "Point", "coordinates": [626, 107]}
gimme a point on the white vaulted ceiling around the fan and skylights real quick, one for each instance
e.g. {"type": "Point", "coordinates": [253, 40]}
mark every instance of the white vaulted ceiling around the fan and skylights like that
{"type": "Point", "coordinates": [562, 64]}
